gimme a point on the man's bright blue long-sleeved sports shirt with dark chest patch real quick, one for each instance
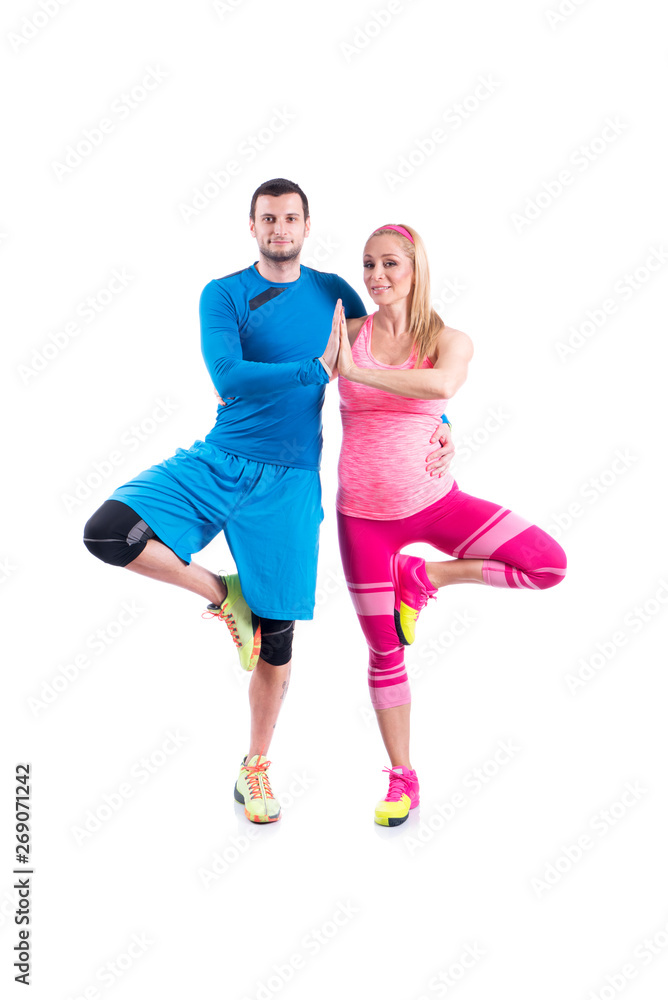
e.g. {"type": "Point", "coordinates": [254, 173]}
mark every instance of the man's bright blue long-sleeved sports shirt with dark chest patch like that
{"type": "Point", "coordinates": [261, 342]}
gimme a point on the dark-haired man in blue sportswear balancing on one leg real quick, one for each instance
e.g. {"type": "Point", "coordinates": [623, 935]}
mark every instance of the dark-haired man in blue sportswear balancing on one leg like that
{"type": "Point", "coordinates": [256, 474]}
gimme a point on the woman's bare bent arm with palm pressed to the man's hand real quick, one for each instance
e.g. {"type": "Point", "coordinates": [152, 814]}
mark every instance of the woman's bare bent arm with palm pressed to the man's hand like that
{"type": "Point", "coordinates": [454, 350]}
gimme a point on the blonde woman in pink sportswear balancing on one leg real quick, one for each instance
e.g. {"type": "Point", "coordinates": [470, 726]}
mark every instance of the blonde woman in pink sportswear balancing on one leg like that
{"type": "Point", "coordinates": [398, 368]}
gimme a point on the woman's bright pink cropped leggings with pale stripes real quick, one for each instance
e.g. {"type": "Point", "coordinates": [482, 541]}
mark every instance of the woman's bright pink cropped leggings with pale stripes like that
{"type": "Point", "coordinates": [525, 557]}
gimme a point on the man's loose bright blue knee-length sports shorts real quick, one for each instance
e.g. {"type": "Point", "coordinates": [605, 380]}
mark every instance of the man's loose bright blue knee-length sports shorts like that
{"type": "Point", "coordinates": [270, 514]}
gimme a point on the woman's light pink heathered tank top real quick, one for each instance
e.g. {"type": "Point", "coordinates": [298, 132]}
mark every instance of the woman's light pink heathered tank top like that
{"type": "Point", "coordinates": [382, 469]}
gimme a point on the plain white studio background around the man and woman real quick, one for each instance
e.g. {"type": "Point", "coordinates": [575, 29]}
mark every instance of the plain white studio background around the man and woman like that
{"type": "Point", "coordinates": [582, 432]}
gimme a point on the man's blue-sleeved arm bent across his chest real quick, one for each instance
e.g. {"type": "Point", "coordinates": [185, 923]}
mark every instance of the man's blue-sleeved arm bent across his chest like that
{"type": "Point", "coordinates": [221, 349]}
